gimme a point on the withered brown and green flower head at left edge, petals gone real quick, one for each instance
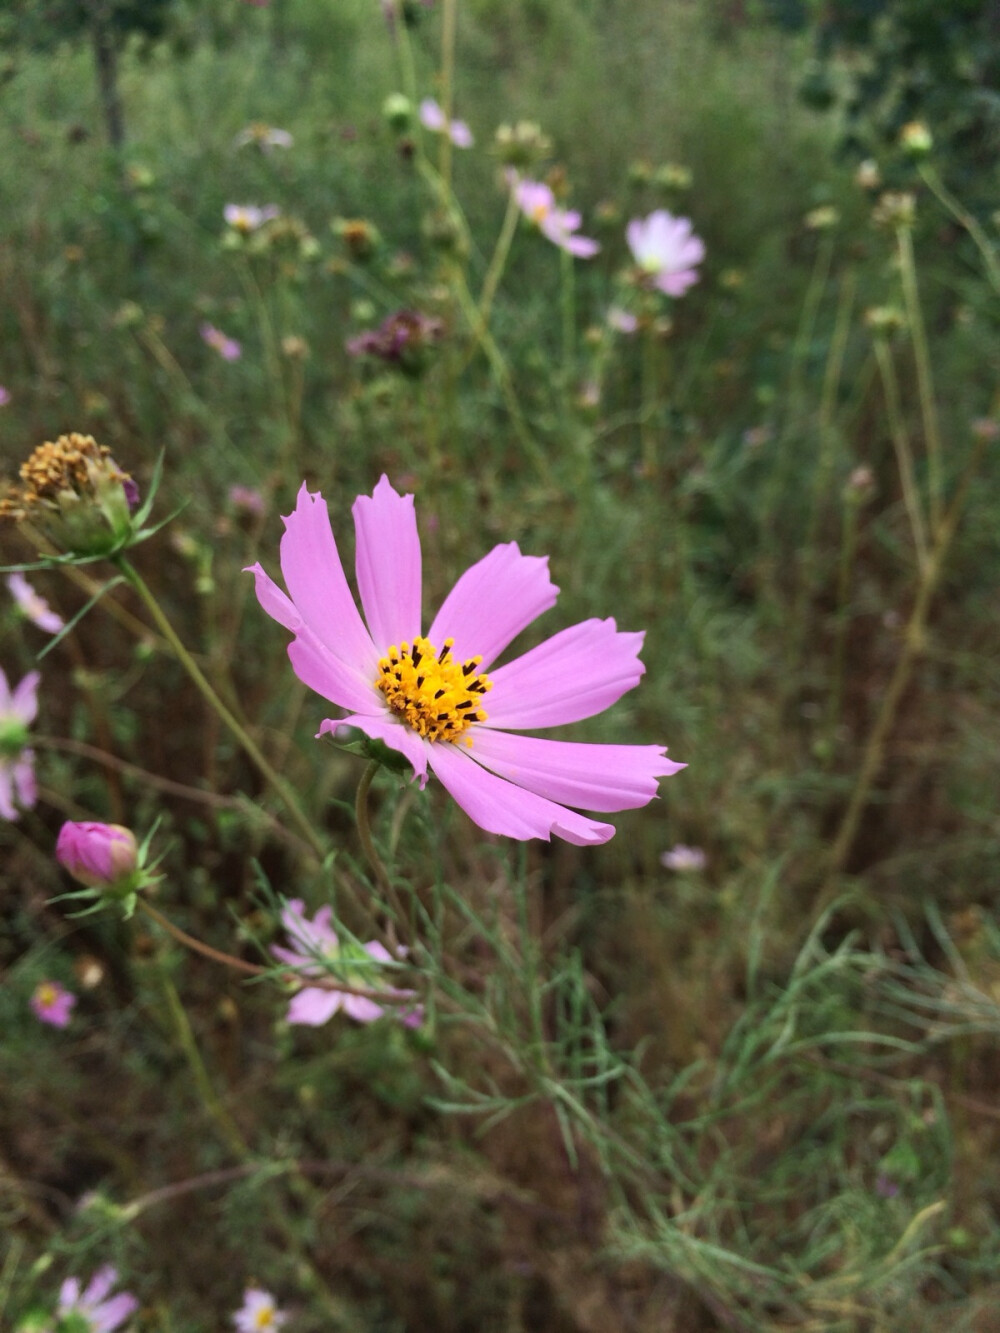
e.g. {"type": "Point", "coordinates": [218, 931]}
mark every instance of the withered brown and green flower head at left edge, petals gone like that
{"type": "Point", "coordinates": [75, 493]}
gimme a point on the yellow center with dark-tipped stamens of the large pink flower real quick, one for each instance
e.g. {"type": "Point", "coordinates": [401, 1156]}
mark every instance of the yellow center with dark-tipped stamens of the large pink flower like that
{"type": "Point", "coordinates": [431, 692]}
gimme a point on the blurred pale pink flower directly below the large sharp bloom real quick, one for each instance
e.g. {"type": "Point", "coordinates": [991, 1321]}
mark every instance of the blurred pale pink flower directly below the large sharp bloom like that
{"type": "Point", "coordinates": [318, 952]}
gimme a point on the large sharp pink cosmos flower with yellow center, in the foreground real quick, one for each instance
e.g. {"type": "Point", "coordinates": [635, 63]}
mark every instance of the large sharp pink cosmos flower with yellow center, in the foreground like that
{"type": "Point", "coordinates": [427, 696]}
